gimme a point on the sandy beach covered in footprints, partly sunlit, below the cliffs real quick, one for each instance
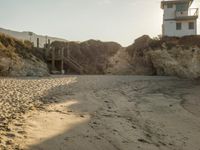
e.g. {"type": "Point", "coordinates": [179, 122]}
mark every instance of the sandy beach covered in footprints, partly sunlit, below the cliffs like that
{"type": "Point", "coordinates": [100, 113]}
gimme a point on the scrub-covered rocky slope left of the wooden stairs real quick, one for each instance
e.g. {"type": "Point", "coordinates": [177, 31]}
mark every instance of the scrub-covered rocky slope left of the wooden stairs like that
{"type": "Point", "coordinates": [17, 58]}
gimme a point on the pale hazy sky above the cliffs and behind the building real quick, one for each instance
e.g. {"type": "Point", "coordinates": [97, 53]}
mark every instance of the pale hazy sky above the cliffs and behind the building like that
{"type": "Point", "coordinates": [108, 20]}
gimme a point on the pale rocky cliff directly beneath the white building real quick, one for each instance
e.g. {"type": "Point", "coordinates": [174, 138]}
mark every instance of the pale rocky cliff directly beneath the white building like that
{"type": "Point", "coordinates": [166, 56]}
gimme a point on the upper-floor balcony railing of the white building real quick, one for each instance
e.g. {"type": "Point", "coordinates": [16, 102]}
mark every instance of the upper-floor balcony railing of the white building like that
{"type": "Point", "coordinates": [192, 12]}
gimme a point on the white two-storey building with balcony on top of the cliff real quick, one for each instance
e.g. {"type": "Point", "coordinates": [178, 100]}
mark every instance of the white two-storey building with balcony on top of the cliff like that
{"type": "Point", "coordinates": [179, 19]}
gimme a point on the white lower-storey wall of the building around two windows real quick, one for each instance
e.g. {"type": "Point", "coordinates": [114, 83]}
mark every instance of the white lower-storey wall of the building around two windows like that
{"type": "Point", "coordinates": [170, 28]}
